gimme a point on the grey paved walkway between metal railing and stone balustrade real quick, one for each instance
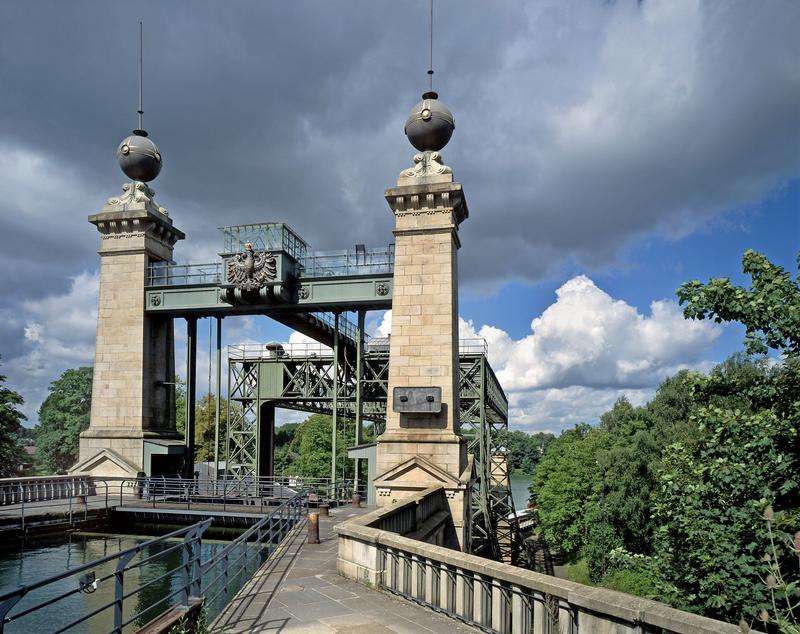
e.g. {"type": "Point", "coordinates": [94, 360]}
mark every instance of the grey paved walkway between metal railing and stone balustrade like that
{"type": "Point", "coordinates": [301, 592]}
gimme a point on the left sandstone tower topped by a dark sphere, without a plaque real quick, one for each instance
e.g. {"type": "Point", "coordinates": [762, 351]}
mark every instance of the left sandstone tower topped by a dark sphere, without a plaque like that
{"type": "Point", "coordinates": [133, 411]}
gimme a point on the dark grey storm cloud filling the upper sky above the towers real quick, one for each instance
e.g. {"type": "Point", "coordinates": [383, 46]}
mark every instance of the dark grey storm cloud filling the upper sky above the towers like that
{"type": "Point", "coordinates": [581, 126]}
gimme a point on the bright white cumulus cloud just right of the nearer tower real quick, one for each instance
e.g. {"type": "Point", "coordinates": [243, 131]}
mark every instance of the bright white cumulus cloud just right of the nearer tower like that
{"type": "Point", "coordinates": [585, 351]}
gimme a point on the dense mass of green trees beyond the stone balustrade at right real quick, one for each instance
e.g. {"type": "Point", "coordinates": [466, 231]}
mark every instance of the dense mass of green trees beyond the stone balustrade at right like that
{"type": "Point", "coordinates": [672, 492]}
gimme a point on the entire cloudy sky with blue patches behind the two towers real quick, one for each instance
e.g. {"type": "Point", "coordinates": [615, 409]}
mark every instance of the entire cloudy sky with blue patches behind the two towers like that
{"type": "Point", "coordinates": [609, 151]}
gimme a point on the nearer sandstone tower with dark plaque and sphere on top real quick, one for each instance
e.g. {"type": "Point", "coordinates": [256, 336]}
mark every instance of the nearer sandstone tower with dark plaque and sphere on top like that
{"type": "Point", "coordinates": [422, 446]}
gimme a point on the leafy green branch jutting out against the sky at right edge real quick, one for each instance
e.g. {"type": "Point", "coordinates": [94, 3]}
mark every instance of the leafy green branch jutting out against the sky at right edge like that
{"type": "Point", "coordinates": [769, 310]}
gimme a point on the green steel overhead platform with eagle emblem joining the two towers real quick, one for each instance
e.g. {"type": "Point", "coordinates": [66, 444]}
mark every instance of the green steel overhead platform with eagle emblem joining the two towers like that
{"type": "Point", "coordinates": [267, 269]}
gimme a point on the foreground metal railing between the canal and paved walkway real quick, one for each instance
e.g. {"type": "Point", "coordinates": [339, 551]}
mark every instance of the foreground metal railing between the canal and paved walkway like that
{"type": "Point", "coordinates": [216, 579]}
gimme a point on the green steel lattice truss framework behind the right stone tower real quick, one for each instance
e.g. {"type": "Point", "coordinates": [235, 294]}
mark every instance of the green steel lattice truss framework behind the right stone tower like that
{"type": "Point", "coordinates": [300, 379]}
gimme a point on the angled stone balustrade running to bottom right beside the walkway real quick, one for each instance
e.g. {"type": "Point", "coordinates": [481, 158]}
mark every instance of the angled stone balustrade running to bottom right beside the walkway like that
{"type": "Point", "coordinates": [380, 550]}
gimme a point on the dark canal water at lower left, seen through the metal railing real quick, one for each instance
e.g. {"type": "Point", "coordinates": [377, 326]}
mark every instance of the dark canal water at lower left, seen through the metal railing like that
{"type": "Point", "coordinates": [35, 561]}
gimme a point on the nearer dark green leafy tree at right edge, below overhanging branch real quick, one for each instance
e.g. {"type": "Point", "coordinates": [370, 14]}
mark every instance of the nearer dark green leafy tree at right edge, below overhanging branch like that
{"type": "Point", "coordinates": [713, 492]}
